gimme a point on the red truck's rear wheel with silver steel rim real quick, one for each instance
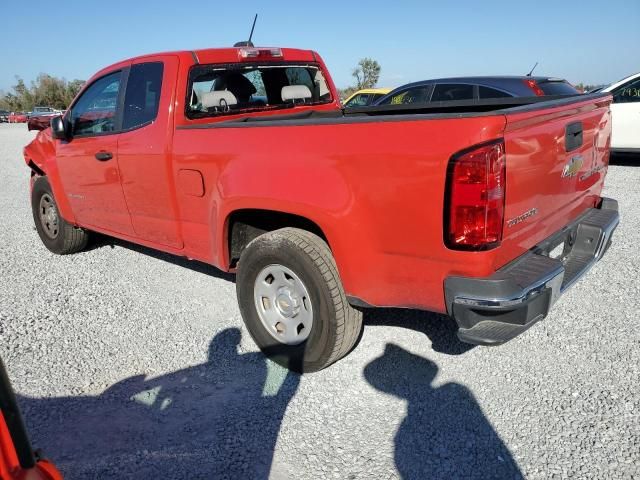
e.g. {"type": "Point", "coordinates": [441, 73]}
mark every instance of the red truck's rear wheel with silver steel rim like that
{"type": "Point", "coordinates": [292, 300]}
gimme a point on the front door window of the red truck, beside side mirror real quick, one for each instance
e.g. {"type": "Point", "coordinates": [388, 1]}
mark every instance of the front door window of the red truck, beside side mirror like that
{"type": "Point", "coordinates": [95, 110]}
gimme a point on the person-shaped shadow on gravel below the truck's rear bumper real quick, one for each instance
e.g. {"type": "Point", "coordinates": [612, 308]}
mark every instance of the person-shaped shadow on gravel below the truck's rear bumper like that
{"type": "Point", "coordinates": [445, 434]}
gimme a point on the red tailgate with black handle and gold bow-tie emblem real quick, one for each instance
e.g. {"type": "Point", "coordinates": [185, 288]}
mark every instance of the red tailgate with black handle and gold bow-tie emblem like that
{"type": "Point", "coordinates": [557, 159]}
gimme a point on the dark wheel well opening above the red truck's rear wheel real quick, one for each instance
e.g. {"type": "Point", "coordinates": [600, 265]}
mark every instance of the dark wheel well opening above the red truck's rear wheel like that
{"type": "Point", "coordinates": [246, 225]}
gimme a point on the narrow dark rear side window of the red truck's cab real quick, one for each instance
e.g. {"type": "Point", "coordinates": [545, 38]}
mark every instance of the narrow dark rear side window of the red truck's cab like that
{"type": "Point", "coordinates": [143, 94]}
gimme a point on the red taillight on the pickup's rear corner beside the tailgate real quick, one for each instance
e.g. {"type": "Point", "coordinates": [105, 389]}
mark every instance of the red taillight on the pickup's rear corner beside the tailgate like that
{"type": "Point", "coordinates": [475, 198]}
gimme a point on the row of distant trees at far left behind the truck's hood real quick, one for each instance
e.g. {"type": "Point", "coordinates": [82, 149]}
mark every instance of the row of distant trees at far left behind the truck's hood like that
{"type": "Point", "coordinates": [46, 91]}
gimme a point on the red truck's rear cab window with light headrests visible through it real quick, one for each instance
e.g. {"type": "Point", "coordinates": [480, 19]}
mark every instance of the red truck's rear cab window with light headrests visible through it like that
{"type": "Point", "coordinates": [215, 90]}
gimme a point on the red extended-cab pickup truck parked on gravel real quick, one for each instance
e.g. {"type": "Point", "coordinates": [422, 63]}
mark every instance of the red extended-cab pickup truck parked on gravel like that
{"type": "Point", "coordinates": [242, 158]}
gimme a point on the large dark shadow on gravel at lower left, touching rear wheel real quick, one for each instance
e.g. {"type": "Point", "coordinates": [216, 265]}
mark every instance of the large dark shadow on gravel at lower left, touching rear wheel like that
{"type": "Point", "coordinates": [216, 420]}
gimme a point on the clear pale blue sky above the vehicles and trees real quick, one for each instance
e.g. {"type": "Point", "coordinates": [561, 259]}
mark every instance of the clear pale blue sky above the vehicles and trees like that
{"type": "Point", "coordinates": [593, 42]}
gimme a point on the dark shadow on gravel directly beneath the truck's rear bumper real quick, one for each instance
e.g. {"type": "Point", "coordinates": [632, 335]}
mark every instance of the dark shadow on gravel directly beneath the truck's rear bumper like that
{"type": "Point", "coordinates": [440, 329]}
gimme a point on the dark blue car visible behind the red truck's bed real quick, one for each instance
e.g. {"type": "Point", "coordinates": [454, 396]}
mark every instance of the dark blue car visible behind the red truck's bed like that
{"type": "Point", "coordinates": [476, 88]}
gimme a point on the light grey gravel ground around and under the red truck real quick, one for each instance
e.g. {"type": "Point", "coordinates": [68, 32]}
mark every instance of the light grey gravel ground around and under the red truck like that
{"type": "Point", "coordinates": [128, 361]}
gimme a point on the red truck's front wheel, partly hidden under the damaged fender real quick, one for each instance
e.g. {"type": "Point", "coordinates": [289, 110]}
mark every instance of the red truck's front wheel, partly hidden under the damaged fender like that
{"type": "Point", "coordinates": [57, 235]}
